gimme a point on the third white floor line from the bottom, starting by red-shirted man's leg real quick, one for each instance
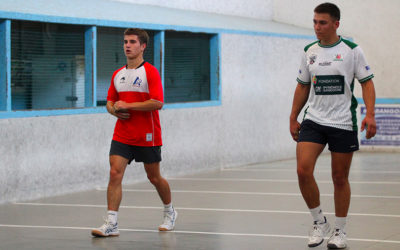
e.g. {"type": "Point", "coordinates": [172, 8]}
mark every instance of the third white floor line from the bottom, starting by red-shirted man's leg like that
{"type": "Point", "coordinates": [254, 193]}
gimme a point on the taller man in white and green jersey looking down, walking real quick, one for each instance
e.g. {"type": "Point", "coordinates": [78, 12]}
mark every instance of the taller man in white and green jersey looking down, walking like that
{"type": "Point", "coordinates": [326, 80]}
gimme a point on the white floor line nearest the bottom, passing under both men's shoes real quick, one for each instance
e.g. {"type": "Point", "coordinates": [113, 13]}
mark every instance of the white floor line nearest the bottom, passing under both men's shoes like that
{"type": "Point", "coordinates": [200, 232]}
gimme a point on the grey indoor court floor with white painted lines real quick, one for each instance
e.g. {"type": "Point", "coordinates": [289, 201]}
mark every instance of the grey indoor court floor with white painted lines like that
{"type": "Point", "coordinates": [256, 206]}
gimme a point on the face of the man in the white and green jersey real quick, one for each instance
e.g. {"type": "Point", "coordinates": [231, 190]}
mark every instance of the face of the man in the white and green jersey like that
{"type": "Point", "coordinates": [324, 26]}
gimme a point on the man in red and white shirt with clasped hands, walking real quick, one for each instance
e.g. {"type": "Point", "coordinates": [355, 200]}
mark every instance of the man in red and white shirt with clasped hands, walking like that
{"type": "Point", "coordinates": [134, 97]}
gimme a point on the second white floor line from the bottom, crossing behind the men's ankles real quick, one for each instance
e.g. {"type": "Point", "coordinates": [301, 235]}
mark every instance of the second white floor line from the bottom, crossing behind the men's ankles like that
{"type": "Point", "coordinates": [200, 209]}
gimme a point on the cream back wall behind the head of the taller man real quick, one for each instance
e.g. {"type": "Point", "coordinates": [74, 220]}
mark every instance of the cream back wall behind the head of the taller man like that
{"type": "Point", "coordinates": [373, 24]}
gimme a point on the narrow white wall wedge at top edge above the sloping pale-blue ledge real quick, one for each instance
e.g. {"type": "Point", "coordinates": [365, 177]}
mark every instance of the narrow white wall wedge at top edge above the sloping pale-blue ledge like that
{"type": "Point", "coordinates": [258, 9]}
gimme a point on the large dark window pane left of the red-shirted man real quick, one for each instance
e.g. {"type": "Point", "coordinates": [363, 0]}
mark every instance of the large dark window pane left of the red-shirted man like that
{"type": "Point", "coordinates": [47, 65]}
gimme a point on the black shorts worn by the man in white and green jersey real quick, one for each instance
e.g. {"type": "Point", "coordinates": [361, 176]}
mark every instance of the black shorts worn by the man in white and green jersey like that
{"type": "Point", "coordinates": [338, 140]}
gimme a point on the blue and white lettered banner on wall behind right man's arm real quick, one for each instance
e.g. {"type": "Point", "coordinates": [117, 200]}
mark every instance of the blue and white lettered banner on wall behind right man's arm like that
{"type": "Point", "coordinates": [387, 126]}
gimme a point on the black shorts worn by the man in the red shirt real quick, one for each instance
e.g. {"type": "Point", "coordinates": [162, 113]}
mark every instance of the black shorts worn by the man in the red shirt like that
{"type": "Point", "coordinates": [139, 153]}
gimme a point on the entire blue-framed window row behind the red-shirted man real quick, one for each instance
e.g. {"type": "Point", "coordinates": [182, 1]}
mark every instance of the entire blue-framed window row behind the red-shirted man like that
{"type": "Point", "coordinates": [61, 67]}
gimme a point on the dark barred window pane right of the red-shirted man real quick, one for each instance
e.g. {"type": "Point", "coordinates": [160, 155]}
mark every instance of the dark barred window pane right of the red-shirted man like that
{"type": "Point", "coordinates": [187, 66]}
